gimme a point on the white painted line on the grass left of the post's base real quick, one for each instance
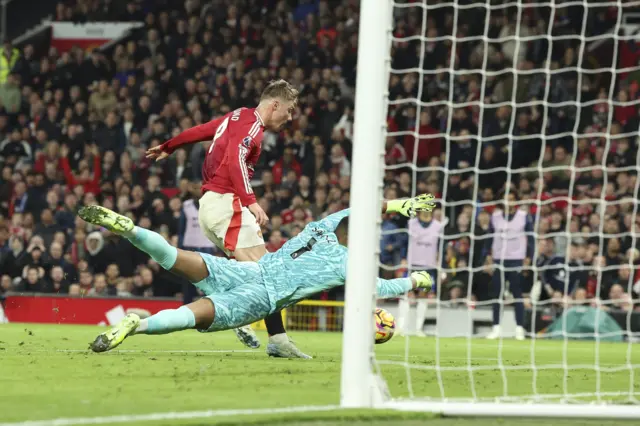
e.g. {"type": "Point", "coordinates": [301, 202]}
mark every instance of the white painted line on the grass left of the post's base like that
{"type": "Point", "coordinates": [168, 416]}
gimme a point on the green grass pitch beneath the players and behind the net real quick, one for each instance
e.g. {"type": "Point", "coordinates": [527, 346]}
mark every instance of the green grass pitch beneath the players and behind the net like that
{"type": "Point", "coordinates": [46, 372]}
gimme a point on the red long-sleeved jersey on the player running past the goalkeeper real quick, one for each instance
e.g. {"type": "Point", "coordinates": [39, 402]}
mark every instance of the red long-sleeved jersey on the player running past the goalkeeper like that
{"type": "Point", "coordinates": [231, 158]}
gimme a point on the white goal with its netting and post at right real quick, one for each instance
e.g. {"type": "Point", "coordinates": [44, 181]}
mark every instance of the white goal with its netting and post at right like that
{"type": "Point", "coordinates": [522, 117]}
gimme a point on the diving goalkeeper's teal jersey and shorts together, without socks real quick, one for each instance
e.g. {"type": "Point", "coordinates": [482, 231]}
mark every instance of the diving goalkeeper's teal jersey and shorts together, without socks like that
{"type": "Point", "coordinates": [314, 261]}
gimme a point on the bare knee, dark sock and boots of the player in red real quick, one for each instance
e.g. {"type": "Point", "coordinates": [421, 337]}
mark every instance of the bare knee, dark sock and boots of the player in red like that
{"type": "Point", "coordinates": [280, 345]}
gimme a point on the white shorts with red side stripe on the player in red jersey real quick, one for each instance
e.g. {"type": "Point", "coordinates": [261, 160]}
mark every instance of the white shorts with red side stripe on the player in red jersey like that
{"type": "Point", "coordinates": [227, 223]}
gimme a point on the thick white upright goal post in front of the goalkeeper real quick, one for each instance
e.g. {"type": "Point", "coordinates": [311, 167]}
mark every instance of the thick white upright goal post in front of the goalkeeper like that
{"type": "Point", "coordinates": [357, 384]}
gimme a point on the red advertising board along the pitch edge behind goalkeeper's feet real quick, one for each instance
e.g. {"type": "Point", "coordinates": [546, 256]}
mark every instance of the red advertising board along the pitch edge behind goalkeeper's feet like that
{"type": "Point", "coordinates": [78, 310]}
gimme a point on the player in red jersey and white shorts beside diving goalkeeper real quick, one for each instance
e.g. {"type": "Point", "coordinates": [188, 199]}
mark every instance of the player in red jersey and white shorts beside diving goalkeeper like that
{"type": "Point", "coordinates": [229, 214]}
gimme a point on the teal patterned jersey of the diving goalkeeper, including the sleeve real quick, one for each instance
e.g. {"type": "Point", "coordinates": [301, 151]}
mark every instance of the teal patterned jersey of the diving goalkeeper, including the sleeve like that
{"type": "Point", "coordinates": [312, 262]}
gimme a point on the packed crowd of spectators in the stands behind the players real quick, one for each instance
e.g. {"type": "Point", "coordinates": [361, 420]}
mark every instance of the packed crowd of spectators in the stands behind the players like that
{"type": "Point", "coordinates": [75, 125]}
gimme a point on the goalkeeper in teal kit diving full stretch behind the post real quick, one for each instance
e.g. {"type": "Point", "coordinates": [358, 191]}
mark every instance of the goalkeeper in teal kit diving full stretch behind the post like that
{"type": "Point", "coordinates": [240, 293]}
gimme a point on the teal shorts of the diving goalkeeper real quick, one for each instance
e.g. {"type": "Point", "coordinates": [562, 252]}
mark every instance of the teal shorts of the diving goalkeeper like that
{"type": "Point", "coordinates": [237, 291]}
